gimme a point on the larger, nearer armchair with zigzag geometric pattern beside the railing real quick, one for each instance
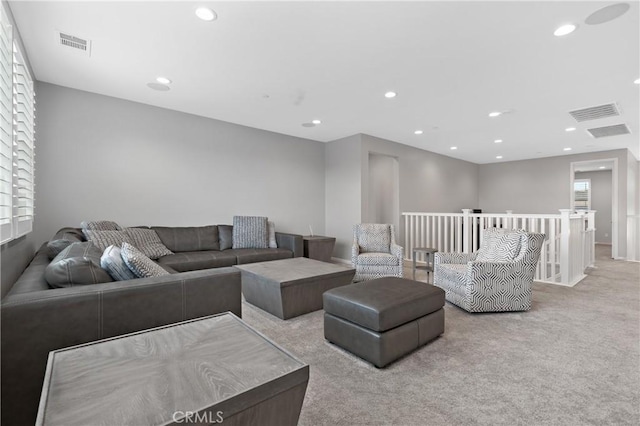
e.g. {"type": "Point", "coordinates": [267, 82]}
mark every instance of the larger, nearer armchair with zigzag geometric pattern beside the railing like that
{"type": "Point", "coordinates": [497, 277]}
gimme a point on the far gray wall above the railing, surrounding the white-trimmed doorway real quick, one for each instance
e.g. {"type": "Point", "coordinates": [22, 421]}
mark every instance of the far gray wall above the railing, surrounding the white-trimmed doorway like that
{"type": "Point", "coordinates": [543, 186]}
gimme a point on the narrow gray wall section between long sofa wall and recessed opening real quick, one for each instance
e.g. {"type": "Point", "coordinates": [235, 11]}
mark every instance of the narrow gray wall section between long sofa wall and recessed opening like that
{"type": "Point", "coordinates": [343, 191]}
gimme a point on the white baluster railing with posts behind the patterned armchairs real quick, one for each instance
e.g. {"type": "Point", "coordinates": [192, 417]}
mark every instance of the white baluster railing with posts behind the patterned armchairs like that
{"type": "Point", "coordinates": [568, 249]}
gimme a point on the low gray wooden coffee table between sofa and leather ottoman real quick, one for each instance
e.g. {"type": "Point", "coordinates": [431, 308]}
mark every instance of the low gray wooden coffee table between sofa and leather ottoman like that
{"type": "Point", "coordinates": [291, 287]}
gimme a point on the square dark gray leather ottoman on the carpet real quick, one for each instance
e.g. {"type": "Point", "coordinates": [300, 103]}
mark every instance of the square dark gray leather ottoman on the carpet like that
{"type": "Point", "coordinates": [383, 319]}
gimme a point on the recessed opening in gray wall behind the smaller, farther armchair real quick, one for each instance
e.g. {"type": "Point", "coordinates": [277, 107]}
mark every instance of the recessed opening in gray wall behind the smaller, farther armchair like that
{"type": "Point", "coordinates": [384, 190]}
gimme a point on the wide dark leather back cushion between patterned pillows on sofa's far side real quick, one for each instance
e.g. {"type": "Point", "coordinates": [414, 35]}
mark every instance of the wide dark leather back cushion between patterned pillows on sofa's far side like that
{"type": "Point", "coordinates": [193, 238]}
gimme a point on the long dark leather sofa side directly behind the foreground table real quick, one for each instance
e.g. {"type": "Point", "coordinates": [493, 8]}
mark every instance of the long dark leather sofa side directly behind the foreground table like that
{"type": "Point", "coordinates": [35, 323]}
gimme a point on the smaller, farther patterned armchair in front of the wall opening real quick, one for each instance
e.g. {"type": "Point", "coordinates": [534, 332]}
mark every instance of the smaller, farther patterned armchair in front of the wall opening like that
{"type": "Point", "coordinates": [375, 253]}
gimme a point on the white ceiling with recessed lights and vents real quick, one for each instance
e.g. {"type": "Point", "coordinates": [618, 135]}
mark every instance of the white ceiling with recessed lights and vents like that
{"type": "Point", "coordinates": [276, 65]}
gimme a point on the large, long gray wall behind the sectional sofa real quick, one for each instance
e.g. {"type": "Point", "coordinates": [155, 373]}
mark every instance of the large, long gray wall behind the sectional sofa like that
{"type": "Point", "coordinates": [106, 158]}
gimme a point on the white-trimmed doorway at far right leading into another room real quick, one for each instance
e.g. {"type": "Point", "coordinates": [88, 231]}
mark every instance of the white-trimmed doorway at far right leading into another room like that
{"type": "Point", "coordinates": [594, 186]}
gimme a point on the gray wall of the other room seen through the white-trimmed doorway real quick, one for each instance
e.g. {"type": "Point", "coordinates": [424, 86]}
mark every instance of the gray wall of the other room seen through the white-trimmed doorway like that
{"type": "Point", "coordinates": [600, 201]}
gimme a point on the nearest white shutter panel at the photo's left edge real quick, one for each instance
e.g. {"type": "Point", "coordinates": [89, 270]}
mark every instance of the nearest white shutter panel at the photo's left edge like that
{"type": "Point", "coordinates": [6, 130]}
